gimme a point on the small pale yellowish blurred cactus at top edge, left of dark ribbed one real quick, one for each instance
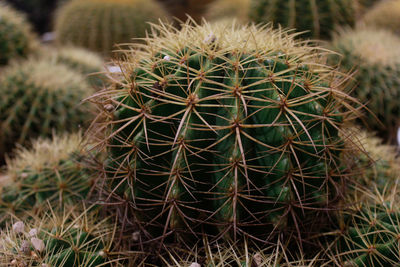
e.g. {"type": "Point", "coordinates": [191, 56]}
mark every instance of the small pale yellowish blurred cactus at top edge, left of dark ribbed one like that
{"type": "Point", "coordinates": [228, 9]}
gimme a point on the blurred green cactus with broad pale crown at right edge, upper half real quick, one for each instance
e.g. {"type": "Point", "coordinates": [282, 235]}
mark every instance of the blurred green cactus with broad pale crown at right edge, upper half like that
{"type": "Point", "coordinates": [375, 58]}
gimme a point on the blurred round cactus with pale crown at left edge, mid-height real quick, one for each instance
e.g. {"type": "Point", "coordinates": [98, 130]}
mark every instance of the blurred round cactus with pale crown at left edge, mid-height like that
{"type": "Point", "coordinates": [38, 98]}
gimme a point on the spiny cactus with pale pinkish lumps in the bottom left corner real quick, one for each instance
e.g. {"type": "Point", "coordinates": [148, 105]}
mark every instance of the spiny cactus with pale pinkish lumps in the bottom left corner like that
{"type": "Point", "coordinates": [63, 238]}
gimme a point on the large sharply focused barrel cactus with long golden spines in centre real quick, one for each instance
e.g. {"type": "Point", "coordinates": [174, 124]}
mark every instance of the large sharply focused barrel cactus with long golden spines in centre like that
{"type": "Point", "coordinates": [216, 125]}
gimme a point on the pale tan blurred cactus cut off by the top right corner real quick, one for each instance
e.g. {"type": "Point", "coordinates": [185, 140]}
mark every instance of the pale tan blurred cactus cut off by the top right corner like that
{"type": "Point", "coordinates": [384, 15]}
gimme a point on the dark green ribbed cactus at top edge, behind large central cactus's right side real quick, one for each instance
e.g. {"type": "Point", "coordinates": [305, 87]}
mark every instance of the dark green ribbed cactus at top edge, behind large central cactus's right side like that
{"type": "Point", "coordinates": [318, 17]}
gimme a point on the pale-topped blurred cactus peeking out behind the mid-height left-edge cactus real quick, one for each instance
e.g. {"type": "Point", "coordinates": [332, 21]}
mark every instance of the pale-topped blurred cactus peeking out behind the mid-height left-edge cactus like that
{"type": "Point", "coordinates": [81, 60]}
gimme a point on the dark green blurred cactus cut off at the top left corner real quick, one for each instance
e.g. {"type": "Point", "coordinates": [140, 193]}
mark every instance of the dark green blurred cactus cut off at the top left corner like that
{"type": "Point", "coordinates": [16, 38]}
